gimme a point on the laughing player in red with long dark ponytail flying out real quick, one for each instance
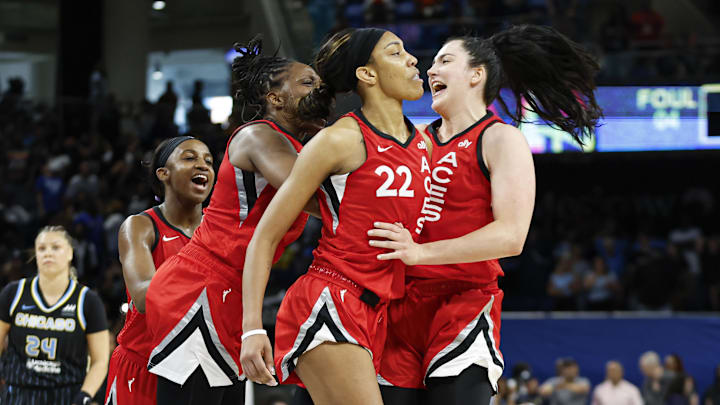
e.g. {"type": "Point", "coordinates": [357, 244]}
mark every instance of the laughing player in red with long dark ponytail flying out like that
{"type": "Point", "coordinates": [445, 333]}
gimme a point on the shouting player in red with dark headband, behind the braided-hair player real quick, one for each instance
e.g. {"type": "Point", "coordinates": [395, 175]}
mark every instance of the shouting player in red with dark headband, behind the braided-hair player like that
{"type": "Point", "coordinates": [181, 173]}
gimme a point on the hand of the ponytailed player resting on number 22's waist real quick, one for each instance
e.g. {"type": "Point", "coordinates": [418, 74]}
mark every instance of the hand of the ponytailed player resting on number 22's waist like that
{"type": "Point", "coordinates": [398, 239]}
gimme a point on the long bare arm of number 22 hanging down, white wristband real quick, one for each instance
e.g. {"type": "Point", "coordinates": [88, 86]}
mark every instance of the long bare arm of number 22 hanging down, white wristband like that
{"type": "Point", "coordinates": [333, 150]}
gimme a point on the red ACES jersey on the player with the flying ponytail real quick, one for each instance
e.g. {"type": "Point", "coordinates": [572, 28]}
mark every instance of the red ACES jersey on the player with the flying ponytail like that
{"type": "Point", "coordinates": [459, 200]}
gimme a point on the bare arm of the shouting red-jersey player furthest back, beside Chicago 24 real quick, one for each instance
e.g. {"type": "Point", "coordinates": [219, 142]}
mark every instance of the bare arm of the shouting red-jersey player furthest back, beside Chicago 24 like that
{"type": "Point", "coordinates": [135, 240]}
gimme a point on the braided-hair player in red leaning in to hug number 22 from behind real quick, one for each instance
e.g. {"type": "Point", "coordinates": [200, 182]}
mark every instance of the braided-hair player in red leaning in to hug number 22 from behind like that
{"type": "Point", "coordinates": [193, 301]}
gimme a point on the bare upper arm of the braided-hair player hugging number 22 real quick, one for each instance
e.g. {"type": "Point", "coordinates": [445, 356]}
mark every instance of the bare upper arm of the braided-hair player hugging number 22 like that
{"type": "Point", "coordinates": [264, 150]}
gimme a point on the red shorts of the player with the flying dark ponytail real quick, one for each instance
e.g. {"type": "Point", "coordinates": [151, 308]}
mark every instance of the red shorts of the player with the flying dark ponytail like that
{"type": "Point", "coordinates": [439, 329]}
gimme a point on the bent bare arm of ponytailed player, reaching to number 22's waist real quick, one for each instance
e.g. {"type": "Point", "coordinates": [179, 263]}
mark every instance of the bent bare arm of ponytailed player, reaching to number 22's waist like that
{"type": "Point", "coordinates": [512, 179]}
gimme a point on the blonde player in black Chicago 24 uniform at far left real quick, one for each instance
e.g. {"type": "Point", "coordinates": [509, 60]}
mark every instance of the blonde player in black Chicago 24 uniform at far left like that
{"type": "Point", "coordinates": [52, 323]}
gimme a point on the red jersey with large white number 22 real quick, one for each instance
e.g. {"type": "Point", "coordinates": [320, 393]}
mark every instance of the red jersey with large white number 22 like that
{"type": "Point", "coordinates": [388, 187]}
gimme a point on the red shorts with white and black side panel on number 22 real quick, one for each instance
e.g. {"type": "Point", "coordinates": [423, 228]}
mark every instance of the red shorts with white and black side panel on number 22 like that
{"type": "Point", "coordinates": [325, 306]}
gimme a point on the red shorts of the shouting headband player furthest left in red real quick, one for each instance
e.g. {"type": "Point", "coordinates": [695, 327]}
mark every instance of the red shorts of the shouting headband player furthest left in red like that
{"type": "Point", "coordinates": [129, 382]}
